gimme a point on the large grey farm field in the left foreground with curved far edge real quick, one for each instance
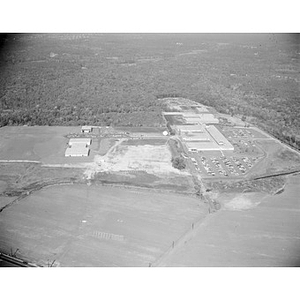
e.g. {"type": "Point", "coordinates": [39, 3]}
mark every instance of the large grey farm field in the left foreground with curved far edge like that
{"type": "Point", "coordinates": [82, 225]}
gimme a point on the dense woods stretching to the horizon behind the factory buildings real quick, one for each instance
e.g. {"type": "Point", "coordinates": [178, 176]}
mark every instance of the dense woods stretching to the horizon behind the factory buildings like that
{"type": "Point", "coordinates": [117, 79]}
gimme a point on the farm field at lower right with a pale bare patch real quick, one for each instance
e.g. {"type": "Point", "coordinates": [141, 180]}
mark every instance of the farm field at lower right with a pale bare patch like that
{"type": "Point", "coordinates": [251, 229]}
